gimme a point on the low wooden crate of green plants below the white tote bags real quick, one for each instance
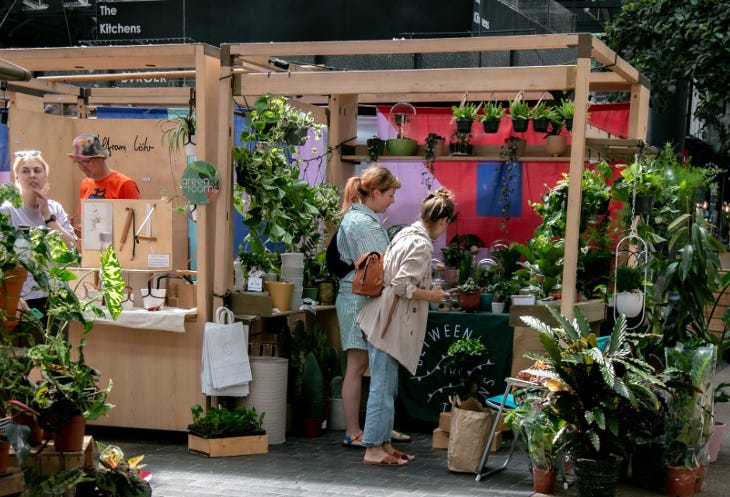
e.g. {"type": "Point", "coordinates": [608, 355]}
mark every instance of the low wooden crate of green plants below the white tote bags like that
{"type": "Point", "coordinates": [224, 431]}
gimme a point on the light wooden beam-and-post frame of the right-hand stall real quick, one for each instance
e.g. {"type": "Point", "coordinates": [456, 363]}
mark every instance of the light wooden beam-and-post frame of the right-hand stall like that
{"type": "Point", "coordinates": [245, 72]}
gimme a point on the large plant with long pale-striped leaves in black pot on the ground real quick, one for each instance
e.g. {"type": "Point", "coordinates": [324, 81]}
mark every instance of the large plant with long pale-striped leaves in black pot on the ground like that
{"type": "Point", "coordinates": [600, 394]}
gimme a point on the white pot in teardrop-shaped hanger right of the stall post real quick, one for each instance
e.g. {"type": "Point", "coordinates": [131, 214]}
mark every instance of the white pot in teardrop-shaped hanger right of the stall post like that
{"type": "Point", "coordinates": [632, 251]}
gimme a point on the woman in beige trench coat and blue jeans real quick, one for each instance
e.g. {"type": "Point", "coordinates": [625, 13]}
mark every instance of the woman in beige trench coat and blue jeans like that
{"type": "Point", "coordinates": [395, 322]}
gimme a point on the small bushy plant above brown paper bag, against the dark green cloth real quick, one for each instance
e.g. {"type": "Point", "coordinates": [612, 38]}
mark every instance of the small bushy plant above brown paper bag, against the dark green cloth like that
{"type": "Point", "coordinates": [467, 359]}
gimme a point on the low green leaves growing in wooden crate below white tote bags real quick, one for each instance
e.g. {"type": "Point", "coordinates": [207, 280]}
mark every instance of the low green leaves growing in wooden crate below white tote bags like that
{"type": "Point", "coordinates": [224, 422]}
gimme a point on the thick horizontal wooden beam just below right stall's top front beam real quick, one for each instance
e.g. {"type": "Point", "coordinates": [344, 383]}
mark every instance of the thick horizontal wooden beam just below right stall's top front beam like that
{"type": "Point", "coordinates": [502, 79]}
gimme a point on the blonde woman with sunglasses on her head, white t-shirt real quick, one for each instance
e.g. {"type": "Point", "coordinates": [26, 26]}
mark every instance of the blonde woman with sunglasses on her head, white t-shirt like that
{"type": "Point", "coordinates": [30, 173]}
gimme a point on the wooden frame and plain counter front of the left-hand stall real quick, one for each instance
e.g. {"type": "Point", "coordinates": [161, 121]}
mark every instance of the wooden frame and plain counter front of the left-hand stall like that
{"type": "Point", "coordinates": [155, 373]}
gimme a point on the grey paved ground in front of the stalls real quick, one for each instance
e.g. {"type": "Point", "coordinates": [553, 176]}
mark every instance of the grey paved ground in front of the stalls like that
{"type": "Point", "coordinates": [320, 467]}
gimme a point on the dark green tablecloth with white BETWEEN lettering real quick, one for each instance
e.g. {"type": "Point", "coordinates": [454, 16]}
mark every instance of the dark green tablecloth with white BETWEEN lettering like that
{"type": "Point", "coordinates": [426, 394]}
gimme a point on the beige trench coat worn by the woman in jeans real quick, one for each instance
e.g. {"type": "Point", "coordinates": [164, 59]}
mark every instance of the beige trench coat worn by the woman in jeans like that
{"type": "Point", "coordinates": [407, 266]}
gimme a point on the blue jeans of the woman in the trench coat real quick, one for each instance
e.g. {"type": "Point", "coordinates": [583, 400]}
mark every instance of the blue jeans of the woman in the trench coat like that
{"type": "Point", "coordinates": [380, 411]}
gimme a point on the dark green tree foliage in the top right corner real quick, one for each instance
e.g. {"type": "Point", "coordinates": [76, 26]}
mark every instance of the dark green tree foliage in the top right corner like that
{"type": "Point", "coordinates": [675, 41]}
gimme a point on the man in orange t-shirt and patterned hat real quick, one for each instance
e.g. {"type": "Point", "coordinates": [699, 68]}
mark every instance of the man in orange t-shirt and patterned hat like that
{"type": "Point", "coordinates": [101, 181]}
